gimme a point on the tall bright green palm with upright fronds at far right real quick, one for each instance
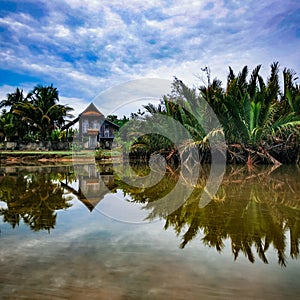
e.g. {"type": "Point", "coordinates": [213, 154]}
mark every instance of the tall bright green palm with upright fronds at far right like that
{"type": "Point", "coordinates": [251, 113]}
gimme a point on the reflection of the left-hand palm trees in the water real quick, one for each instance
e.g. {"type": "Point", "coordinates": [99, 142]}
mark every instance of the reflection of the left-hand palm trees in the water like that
{"type": "Point", "coordinates": [33, 198]}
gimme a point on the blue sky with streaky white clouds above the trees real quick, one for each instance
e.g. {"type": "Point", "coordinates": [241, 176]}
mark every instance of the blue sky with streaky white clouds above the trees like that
{"type": "Point", "coordinates": [89, 49]}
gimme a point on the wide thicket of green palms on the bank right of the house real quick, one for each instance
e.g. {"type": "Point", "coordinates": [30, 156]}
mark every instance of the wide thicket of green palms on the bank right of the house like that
{"type": "Point", "coordinates": [259, 120]}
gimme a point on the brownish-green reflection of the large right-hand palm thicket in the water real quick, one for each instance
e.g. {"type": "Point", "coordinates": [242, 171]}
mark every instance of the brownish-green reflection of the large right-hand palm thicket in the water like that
{"type": "Point", "coordinates": [257, 212]}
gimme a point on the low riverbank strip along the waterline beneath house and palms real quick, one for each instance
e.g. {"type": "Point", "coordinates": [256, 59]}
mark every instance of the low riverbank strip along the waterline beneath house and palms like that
{"type": "Point", "coordinates": [236, 154]}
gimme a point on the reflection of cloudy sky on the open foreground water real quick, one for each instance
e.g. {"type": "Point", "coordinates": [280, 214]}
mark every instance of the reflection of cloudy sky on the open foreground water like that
{"type": "Point", "coordinates": [128, 259]}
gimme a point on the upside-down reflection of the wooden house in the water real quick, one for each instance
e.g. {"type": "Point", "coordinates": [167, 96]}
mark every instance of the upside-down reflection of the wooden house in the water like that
{"type": "Point", "coordinates": [93, 186]}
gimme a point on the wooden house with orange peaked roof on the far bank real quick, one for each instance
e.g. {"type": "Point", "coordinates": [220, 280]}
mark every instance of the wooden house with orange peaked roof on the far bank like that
{"type": "Point", "coordinates": [94, 129]}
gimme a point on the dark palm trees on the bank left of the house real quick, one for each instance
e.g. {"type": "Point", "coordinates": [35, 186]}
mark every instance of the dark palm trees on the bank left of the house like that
{"type": "Point", "coordinates": [36, 116]}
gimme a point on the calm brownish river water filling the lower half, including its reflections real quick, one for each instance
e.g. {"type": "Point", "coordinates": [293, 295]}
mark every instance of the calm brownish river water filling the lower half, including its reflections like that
{"type": "Point", "coordinates": [85, 234]}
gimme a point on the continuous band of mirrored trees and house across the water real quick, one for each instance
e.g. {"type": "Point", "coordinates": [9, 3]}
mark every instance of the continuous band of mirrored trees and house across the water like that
{"type": "Point", "coordinates": [254, 209]}
